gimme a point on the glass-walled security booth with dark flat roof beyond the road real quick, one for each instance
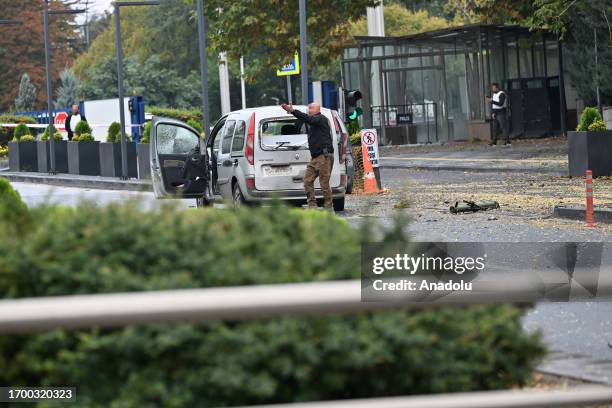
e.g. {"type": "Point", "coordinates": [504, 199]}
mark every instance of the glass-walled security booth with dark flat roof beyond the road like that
{"type": "Point", "coordinates": [431, 87]}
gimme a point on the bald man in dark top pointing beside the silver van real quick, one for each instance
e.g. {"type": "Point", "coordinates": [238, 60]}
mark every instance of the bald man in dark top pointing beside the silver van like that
{"type": "Point", "coordinates": [321, 152]}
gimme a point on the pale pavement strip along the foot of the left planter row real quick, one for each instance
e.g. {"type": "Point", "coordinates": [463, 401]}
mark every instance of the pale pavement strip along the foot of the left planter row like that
{"type": "Point", "coordinates": [72, 180]}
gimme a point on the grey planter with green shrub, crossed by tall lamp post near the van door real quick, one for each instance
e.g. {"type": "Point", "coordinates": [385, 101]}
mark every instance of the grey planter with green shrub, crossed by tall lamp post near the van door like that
{"type": "Point", "coordinates": [110, 154]}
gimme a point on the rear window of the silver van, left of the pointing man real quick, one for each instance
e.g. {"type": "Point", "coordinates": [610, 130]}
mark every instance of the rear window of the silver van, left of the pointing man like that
{"type": "Point", "coordinates": [286, 133]}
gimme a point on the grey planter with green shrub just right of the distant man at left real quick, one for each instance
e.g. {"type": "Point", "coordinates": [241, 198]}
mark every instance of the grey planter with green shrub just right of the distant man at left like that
{"type": "Point", "coordinates": [83, 152]}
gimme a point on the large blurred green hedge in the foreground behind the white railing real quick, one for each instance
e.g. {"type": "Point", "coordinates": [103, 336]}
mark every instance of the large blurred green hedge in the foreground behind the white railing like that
{"type": "Point", "coordinates": [120, 247]}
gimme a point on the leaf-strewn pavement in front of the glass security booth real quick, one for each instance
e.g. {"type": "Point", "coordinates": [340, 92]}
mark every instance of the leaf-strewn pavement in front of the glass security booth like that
{"type": "Point", "coordinates": [547, 156]}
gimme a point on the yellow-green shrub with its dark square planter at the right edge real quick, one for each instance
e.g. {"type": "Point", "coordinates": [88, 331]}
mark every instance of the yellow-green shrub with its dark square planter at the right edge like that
{"type": "Point", "coordinates": [590, 146]}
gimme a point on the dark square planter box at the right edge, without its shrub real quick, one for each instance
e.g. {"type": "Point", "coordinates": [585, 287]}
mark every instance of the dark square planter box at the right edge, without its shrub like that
{"type": "Point", "coordinates": [590, 151]}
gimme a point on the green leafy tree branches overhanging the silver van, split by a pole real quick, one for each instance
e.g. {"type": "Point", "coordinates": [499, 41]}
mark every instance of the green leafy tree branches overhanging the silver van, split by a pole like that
{"type": "Point", "coordinates": [241, 27]}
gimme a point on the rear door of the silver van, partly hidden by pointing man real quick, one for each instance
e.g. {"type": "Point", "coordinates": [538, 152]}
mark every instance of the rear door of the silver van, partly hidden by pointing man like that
{"type": "Point", "coordinates": [282, 154]}
